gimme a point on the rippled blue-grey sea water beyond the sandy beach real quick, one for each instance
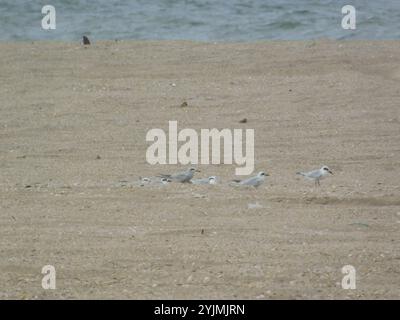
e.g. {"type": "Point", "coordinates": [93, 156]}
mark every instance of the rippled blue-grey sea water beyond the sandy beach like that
{"type": "Point", "coordinates": [202, 20]}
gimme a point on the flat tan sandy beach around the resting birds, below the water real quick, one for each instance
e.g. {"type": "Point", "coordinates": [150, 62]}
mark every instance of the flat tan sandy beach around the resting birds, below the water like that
{"type": "Point", "coordinates": [310, 103]}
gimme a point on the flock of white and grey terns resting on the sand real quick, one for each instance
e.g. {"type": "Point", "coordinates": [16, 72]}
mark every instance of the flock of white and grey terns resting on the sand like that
{"type": "Point", "coordinates": [254, 181]}
